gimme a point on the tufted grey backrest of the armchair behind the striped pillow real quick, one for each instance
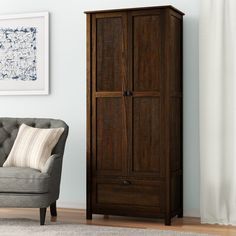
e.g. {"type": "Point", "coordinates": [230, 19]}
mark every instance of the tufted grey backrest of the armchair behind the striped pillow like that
{"type": "Point", "coordinates": [9, 128]}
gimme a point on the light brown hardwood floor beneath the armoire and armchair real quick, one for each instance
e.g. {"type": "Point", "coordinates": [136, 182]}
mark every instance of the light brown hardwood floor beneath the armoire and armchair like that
{"type": "Point", "coordinates": [78, 217]}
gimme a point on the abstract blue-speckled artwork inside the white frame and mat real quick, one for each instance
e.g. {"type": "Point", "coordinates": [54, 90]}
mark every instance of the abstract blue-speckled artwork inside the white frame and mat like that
{"type": "Point", "coordinates": [18, 53]}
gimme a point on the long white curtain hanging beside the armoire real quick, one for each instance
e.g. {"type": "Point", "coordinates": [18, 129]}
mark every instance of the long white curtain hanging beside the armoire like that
{"type": "Point", "coordinates": [217, 93]}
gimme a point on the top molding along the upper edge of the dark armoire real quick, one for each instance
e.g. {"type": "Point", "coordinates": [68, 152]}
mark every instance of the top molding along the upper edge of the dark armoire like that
{"type": "Point", "coordinates": [134, 9]}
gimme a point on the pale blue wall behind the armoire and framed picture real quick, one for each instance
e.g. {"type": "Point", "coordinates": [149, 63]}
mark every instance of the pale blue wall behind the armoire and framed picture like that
{"type": "Point", "coordinates": [68, 89]}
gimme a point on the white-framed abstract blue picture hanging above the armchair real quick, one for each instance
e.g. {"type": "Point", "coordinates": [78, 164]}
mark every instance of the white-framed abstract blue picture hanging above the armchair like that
{"type": "Point", "coordinates": [24, 54]}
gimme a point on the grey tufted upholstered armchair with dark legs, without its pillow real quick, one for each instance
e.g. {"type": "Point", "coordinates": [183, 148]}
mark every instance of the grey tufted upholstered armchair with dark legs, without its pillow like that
{"type": "Point", "coordinates": [26, 187]}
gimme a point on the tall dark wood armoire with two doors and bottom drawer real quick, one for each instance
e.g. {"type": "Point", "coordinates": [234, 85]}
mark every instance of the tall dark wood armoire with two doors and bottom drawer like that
{"type": "Point", "coordinates": [134, 112]}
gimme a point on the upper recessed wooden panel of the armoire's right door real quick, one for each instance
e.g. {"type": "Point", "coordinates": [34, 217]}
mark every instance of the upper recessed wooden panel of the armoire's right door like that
{"type": "Point", "coordinates": [146, 52]}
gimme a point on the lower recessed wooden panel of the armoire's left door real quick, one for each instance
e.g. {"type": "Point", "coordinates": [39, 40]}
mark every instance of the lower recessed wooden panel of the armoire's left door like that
{"type": "Point", "coordinates": [109, 136]}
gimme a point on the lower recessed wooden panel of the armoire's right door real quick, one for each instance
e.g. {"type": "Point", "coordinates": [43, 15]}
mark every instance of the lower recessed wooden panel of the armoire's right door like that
{"type": "Point", "coordinates": [146, 154]}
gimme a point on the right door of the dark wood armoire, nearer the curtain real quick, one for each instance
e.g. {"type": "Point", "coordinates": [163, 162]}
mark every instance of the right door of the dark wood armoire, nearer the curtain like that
{"type": "Point", "coordinates": [145, 106]}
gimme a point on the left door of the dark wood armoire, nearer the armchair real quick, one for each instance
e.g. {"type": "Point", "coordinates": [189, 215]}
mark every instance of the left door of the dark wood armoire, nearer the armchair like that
{"type": "Point", "coordinates": [109, 134]}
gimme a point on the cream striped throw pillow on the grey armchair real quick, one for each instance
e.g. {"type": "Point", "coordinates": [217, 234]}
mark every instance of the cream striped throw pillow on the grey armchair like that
{"type": "Point", "coordinates": [33, 147]}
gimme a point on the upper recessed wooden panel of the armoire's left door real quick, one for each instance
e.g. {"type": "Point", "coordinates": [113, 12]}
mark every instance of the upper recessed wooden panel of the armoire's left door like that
{"type": "Point", "coordinates": [109, 54]}
